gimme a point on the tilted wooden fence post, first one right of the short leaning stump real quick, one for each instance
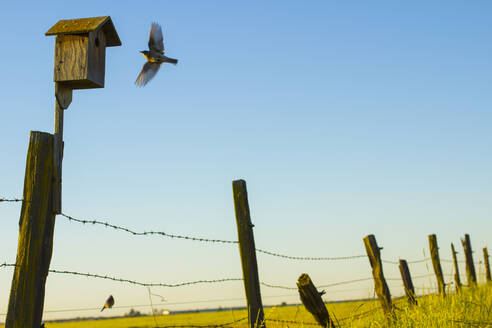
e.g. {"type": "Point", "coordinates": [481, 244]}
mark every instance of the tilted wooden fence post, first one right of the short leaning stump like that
{"type": "Point", "coordinates": [380, 285]}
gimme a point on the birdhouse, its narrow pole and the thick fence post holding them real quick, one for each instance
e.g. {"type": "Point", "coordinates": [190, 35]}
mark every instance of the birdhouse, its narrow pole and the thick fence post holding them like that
{"type": "Point", "coordinates": [80, 53]}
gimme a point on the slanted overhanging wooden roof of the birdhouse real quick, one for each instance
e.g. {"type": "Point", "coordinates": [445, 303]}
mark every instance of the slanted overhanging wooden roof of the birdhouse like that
{"type": "Point", "coordinates": [86, 25]}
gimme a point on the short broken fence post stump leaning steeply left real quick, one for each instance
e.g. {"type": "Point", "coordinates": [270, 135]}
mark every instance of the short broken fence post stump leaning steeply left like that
{"type": "Point", "coordinates": [311, 299]}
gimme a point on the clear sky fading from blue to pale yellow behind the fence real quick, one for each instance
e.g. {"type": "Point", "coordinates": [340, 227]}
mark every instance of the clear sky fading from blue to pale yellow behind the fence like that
{"type": "Point", "coordinates": [344, 118]}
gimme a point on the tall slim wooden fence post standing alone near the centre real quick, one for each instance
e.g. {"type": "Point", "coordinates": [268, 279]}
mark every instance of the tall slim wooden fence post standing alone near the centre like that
{"type": "Point", "coordinates": [247, 251]}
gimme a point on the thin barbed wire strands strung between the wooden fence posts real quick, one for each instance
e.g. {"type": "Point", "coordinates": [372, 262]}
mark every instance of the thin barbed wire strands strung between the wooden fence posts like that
{"type": "Point", "coordinates": [148, 285]}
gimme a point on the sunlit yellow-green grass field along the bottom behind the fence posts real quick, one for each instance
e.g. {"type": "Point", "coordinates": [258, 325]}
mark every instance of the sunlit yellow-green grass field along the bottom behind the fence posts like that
{"type": "Point", "coordinates": [472, 308]}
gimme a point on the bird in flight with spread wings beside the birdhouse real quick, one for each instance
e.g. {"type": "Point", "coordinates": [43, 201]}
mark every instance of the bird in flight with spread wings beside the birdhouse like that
{"type": "Point", "coordinates": [155, 56]}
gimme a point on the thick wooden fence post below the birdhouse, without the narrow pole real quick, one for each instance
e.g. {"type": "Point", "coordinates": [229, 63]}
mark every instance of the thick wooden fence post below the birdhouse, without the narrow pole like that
{"type": "Point", "coordinates": [36, 225]}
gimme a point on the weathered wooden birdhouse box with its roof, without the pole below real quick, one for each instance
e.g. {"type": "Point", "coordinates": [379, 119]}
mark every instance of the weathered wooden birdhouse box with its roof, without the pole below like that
{"type": "Point", "coordinates": [80, 50]}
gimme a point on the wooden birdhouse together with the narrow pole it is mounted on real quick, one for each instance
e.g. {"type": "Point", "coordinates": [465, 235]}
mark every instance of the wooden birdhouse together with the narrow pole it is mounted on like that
{"type": "Point", "coordinates": [80, 60]}
